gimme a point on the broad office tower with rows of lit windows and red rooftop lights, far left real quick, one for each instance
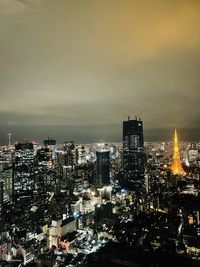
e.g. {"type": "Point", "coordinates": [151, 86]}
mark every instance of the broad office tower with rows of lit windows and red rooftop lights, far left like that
{"type": "Point", "coordinates": [23, 168]}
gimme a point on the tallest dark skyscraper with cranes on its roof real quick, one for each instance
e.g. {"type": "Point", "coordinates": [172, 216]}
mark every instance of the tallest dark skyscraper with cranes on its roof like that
{"type": "Point", "coordinates": [133, 153]}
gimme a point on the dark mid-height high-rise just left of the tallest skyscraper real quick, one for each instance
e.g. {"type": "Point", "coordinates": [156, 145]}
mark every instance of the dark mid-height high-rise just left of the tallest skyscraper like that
{"type": "Point", "coordinates": [103, 168]}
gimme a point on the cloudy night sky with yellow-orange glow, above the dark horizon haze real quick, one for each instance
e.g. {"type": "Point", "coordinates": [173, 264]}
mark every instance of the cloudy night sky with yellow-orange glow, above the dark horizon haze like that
{"type": "Point", "coordinates": [89, 62]}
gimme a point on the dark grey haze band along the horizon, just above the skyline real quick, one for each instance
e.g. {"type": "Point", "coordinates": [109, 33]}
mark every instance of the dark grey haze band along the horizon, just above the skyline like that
{"type": "Point", "coordinates": [88, 134]}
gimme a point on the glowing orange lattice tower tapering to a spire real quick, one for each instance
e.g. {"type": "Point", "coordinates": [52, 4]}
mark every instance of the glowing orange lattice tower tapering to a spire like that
{"type": "Point", "coordinates": [176, 167]}
